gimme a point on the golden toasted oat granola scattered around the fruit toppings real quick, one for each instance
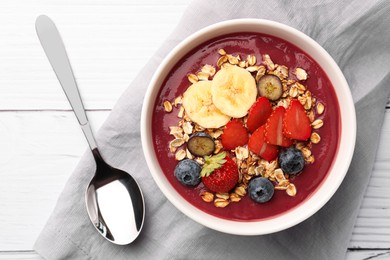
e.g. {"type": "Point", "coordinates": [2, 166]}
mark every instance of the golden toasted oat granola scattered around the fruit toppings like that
{"type": "Point", "coordinates": [249, 163]}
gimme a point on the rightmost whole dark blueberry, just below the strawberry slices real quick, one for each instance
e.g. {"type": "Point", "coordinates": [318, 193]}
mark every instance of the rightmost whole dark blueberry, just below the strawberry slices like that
{"type": "Point", "coordinates": [291, 161]}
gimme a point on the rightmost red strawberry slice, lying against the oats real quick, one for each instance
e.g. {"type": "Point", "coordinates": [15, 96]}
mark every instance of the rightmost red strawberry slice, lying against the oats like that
{"type": "Point", "coordinates": [296, 123]}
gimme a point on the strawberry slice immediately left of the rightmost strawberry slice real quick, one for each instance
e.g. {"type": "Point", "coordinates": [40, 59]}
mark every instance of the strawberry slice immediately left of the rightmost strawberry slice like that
{"type": "Point", "coordinates": [274, 129]}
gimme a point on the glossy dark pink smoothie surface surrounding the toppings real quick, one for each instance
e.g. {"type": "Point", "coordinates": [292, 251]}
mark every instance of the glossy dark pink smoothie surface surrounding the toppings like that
{"type": "Point", "coordinates": [281, 52]}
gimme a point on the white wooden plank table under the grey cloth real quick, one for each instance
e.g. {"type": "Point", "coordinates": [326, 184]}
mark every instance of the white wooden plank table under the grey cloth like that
{"type": "Point", "coordinates": [40, 141]}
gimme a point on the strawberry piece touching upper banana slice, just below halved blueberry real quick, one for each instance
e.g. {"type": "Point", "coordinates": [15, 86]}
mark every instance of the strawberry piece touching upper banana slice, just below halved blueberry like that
{"type": "Point", "coordinates": [258, 113]}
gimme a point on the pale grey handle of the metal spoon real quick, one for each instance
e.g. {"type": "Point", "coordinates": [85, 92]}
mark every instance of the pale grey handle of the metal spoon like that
{"type": "Point", "coordinates": [55, 51]}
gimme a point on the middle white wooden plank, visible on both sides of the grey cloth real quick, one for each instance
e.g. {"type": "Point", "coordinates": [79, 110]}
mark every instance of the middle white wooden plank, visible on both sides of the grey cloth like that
{"type": "Point", "coordinates": [42, 149]}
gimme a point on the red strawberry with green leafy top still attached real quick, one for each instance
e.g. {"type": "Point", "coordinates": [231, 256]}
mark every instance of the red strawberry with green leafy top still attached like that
{"type": "Point", "coordinates": [219, 173]}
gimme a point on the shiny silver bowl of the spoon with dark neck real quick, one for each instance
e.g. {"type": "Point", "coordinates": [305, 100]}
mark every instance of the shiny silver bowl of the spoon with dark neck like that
{"type": "Point", "coordinates": [114, 203]}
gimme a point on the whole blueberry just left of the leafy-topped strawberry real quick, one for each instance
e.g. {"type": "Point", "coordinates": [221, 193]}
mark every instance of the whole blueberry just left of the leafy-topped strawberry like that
{"type": "Point", "coordinates": [187, 172]}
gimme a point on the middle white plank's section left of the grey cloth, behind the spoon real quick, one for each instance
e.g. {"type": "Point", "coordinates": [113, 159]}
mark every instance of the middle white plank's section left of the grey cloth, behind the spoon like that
{"type": "Point", "coordinates": [39, 152]}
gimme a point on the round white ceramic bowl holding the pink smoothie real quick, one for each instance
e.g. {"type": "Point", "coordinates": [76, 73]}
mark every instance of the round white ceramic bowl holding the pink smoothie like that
{"type": "Point", "coordinates": [342, 159]}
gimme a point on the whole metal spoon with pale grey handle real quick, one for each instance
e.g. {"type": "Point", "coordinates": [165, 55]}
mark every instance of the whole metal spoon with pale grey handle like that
{"type": "Point", "coordinates": [114, 200]}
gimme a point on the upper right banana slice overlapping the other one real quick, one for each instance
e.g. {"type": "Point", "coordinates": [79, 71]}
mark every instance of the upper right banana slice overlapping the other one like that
{"type": "Point", "coordinates": [234, 91]}
